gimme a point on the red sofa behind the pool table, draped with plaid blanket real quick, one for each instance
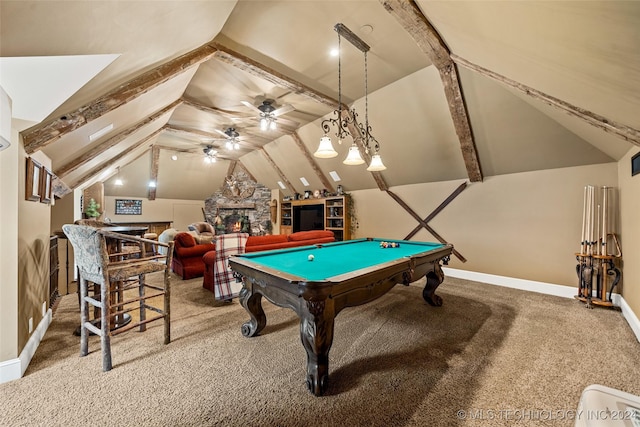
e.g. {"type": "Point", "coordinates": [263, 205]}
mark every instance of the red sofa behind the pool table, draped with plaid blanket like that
{"type": "Point", "coordinates": [267, 243]}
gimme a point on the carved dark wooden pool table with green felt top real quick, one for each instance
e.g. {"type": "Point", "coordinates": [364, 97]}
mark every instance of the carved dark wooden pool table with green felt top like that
{"type": "Point", "coordinates": [318, 281]}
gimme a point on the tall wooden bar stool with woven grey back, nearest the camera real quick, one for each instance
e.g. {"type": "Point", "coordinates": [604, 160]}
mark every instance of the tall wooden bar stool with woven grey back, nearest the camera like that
{"type": "Point", "coordinates": [97, 259]}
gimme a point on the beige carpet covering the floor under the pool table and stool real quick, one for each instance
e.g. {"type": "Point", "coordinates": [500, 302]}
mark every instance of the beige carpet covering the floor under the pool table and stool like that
{"type": "Point", "coordinates": [503, 356]}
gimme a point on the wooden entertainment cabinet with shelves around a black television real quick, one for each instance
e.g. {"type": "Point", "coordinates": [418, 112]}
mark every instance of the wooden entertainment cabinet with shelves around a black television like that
{"type": "Point", "coordinates": [331, 212]}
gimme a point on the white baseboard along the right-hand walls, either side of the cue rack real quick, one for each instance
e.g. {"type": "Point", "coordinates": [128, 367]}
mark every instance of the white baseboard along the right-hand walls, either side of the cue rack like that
{"type": "Point", "coordinates": [543, 288]}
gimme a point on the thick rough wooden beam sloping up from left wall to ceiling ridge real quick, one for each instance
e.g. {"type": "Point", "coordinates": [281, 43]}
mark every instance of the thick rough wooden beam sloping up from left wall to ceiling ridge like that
{"type": "Point", "coordinates": [43, 134]}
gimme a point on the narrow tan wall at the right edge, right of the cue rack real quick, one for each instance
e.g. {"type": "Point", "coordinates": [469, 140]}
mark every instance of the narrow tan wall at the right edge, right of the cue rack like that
{"type": "Point", "coordinates": [630, 231]}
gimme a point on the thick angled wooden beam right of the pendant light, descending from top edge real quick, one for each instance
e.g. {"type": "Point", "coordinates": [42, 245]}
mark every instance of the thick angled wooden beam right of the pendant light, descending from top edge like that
{"type": "Point", "coordinates": [408, 14]}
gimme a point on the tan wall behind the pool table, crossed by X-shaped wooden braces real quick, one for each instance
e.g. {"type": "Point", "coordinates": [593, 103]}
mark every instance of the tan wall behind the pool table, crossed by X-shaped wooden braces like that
{"type": "Point", "coordinates": [525, 225]}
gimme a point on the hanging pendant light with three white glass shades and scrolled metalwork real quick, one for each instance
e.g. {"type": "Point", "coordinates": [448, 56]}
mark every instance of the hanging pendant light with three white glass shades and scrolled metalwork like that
{"type": "Point", "coordinates": [345, 122]}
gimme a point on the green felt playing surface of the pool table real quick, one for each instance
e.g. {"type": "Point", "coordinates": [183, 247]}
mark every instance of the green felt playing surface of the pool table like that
{"type": "Point", "coordinates": [335, 259]}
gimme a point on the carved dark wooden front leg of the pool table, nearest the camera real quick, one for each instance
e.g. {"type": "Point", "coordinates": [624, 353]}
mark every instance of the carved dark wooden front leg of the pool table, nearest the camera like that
{"type": "Point", "coordinates": [316, 333]}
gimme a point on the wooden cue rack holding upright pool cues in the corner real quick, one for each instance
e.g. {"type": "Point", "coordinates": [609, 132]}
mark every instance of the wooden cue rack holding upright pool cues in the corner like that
{"type": "Point", "coordinates": [600, 255]}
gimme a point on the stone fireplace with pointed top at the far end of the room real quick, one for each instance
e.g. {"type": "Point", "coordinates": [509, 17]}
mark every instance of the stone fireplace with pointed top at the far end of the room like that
{"type": "Point", "coordinates": [241, 206]}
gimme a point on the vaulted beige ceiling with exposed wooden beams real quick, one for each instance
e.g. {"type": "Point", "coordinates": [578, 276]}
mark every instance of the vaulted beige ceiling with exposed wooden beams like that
{"type": "Point", "coordinates": [456, 90]}
